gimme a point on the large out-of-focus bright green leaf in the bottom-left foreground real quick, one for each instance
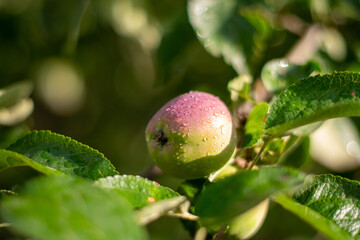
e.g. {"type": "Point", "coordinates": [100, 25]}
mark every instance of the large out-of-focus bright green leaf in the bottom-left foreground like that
{"type": "Point", "coordinates": [70, 208]}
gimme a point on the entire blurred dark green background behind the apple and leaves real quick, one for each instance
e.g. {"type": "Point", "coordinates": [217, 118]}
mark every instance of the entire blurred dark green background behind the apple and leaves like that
{"type": "Point", "coordinates": [101, 69]}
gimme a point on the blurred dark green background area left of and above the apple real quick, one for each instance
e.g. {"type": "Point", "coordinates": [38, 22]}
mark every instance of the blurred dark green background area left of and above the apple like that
{"type": "Point", "coordinates": [102, 68]}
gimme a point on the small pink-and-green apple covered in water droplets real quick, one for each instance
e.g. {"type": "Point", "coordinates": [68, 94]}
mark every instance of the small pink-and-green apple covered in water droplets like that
{"type": "Point", "coordinates": [191, 136]}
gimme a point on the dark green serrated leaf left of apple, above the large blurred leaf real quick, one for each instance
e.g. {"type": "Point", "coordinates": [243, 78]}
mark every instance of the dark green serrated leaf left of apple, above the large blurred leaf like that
{"type": "Point", "coordinates": [64, 154]}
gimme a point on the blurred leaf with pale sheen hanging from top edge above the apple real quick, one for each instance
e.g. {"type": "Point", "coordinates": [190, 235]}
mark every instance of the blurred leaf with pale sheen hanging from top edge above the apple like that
{"type": "Point", "coordinates": [237, 30]}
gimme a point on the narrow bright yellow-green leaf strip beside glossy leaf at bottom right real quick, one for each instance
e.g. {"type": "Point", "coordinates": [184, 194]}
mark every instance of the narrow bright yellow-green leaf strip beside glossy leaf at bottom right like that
{"type": "Point", "coordinates": [319, 222]}
